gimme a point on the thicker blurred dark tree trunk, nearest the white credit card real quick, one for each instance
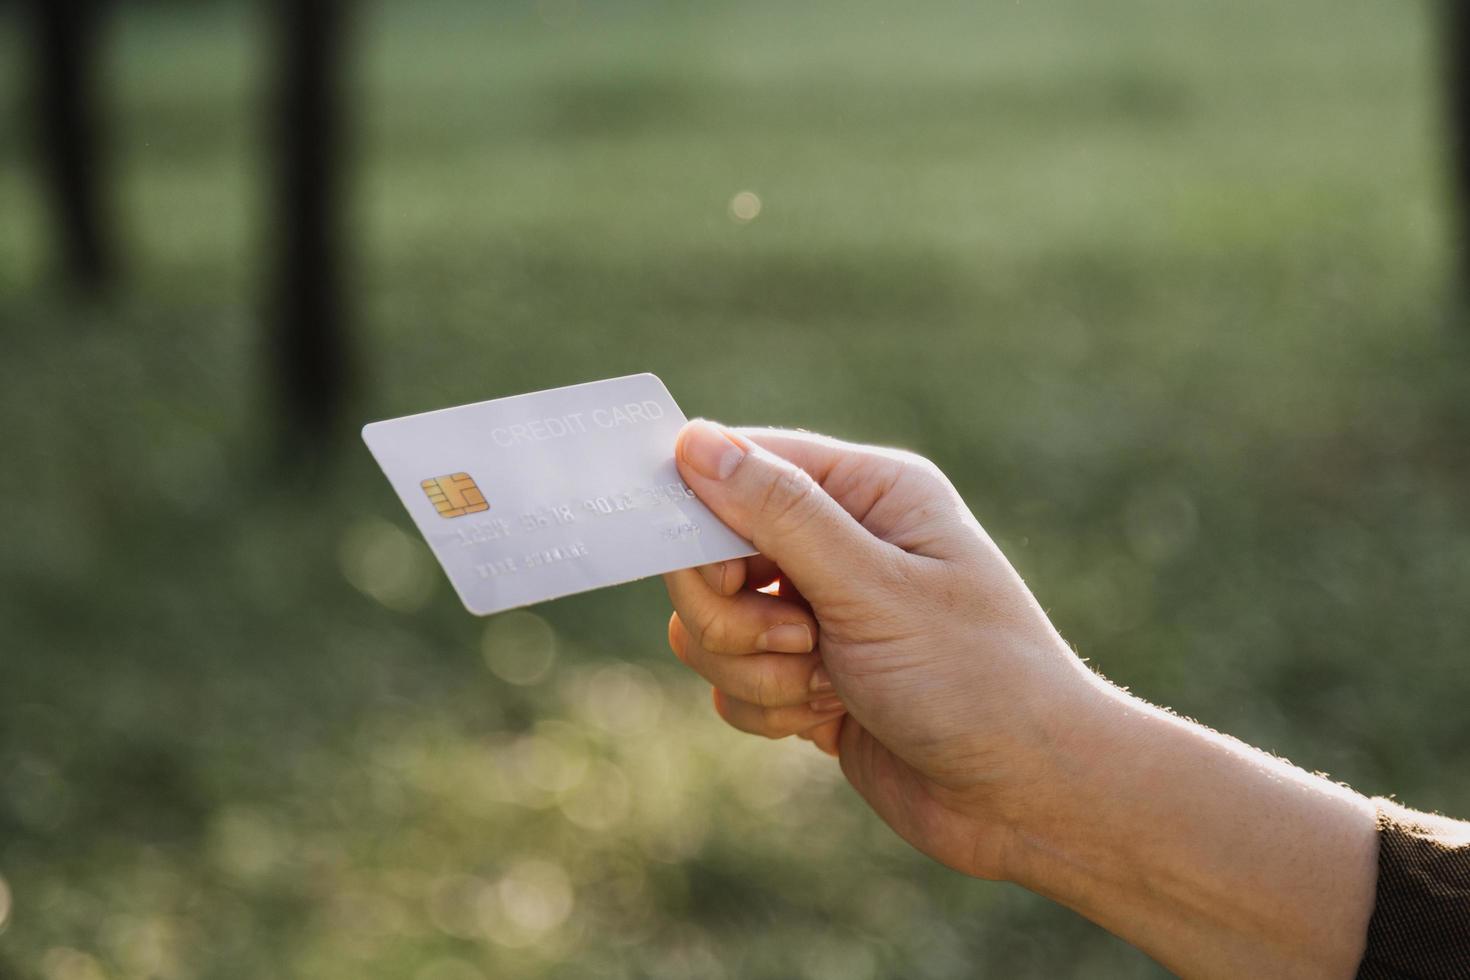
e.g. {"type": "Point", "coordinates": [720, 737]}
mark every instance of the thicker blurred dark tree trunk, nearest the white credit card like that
{"type": "Point", "coordinates": [311, 352]}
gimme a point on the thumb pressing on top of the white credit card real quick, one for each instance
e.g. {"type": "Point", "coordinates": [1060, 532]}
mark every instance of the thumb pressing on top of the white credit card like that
{"type": "Point", "coordinates": [780, 509]}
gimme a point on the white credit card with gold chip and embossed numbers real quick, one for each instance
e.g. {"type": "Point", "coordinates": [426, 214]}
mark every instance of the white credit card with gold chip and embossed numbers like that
{"type": "Point", "coordinates": [534, 497]}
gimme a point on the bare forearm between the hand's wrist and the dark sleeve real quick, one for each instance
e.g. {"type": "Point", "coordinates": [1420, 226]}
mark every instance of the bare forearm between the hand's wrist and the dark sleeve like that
{"type": "Point", "coordinates": [1215, 859]}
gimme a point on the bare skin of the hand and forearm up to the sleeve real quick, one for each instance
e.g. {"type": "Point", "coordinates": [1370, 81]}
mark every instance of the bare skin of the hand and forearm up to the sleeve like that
{"type": "Point", "coordinates": [884, 625]}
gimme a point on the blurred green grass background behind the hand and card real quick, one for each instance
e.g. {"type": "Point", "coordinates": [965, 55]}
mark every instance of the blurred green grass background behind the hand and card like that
{"type": "Point", "coordinates": [1161, 286]}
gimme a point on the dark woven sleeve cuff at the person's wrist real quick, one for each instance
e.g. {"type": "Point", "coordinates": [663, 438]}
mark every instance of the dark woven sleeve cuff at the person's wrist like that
{"type": "Point", "coordinates": [1421, 922]}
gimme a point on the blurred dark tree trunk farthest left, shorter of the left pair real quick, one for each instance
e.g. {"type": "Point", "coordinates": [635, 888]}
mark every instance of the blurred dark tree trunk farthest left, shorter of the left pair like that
{"type": "Point", "coordinates": [67, 49]}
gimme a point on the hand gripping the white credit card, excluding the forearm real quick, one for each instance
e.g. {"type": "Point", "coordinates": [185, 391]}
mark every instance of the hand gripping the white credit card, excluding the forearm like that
{"type": "Point", "coordinates": [897, 635]}
